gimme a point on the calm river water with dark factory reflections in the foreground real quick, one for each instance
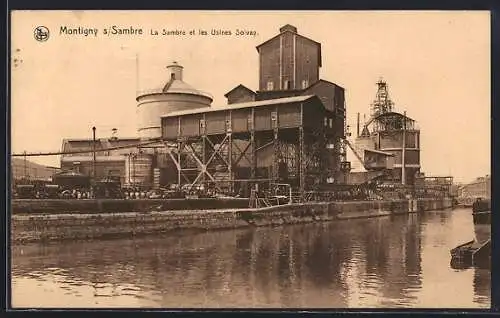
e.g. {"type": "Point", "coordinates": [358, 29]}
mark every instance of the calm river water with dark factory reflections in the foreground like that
{"type": "Point", "coordinates": [397, 261]}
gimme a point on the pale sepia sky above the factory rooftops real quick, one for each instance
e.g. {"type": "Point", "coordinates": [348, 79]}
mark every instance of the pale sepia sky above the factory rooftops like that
{"type": "Point", "coordinates": [437, 66]}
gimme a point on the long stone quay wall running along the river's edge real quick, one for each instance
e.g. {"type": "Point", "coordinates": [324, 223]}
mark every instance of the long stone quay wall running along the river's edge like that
{"type": "Point", "coordinates": [81, 226]}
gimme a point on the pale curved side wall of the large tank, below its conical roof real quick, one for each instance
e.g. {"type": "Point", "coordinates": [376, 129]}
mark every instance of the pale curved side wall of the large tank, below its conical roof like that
{"type": "Point", "coordinates": [151, 107]}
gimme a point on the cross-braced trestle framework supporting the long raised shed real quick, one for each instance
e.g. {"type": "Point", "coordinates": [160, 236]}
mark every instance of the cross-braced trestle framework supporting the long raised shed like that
{"type": "Point", "coordinates": [302, 157]}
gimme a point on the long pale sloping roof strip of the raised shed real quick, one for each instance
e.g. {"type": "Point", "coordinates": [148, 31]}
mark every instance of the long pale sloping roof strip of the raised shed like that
{"type": "Point", "coordinates": [286, 100]}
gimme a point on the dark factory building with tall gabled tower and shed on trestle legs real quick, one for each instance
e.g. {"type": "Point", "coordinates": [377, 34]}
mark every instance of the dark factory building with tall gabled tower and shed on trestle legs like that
{"type": "Point", "coordinates": [288, 131]}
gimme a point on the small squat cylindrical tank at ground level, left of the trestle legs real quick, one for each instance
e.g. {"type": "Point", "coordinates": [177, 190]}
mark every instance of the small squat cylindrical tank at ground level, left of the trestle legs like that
{"type": "Point", "coordinates": [138, 170]}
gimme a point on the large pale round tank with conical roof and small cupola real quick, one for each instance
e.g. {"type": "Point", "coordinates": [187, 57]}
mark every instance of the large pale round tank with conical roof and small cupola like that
{"type": "Point", "coordinates": [174, 96]}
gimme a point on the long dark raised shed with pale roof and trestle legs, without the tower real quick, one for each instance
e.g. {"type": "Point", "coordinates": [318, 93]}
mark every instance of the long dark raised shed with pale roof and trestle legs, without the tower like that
{"type": "Point", "coordinates": [293, 140]}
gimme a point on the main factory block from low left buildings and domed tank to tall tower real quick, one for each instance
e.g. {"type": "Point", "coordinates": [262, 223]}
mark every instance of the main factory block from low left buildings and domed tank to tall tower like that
{"type": "Point", "coordinates": [289, 130]}
